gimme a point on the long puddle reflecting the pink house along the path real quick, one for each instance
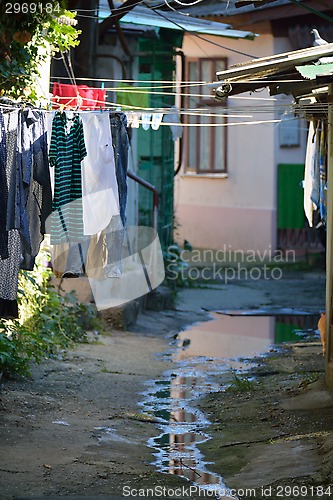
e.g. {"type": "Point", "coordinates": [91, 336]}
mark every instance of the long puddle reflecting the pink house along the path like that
{"type": "Point", "coordinates": [213, 347]}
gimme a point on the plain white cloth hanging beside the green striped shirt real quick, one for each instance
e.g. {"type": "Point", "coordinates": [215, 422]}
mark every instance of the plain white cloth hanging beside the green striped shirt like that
{"type": "Point", "coordinates": [99, 183]}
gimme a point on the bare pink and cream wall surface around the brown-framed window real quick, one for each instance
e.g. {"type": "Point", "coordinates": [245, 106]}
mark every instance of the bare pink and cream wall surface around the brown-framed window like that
{"type": "Point", "coordinates": [237, 209]}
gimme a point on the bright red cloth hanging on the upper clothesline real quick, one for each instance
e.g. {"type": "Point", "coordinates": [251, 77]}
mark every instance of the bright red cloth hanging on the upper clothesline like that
{"type": "Point", "coordinates": [66, 94]}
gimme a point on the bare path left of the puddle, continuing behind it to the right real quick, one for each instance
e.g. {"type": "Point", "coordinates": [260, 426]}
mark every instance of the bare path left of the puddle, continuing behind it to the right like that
{"type": "Point", "coordinates": [75, 428]}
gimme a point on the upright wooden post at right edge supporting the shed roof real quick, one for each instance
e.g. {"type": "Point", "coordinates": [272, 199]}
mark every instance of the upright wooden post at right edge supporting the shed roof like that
{"type": "Point", "coordinates": [329, 246]}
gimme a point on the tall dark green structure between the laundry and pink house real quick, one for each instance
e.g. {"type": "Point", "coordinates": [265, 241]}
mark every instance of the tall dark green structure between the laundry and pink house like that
{"type": "Point", "coordinates": [156, 147]}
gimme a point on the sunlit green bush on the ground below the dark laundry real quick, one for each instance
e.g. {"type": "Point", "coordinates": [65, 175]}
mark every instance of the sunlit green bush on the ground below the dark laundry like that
{"type": "Point", "coordinates": [48, 322]}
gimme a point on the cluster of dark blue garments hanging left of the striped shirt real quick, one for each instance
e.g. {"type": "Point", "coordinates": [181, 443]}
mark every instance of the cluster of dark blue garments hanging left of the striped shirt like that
{"type": "Point", "coordinates": [25, 198]}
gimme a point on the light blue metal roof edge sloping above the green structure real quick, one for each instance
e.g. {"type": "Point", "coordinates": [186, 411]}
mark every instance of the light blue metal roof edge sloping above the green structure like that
{"type": "Point", "coordinates": [140, 15]}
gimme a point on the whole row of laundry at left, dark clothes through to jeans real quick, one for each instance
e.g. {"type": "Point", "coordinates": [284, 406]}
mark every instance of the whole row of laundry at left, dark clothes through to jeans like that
{"type": "Point", "coordinates": [27, 150]}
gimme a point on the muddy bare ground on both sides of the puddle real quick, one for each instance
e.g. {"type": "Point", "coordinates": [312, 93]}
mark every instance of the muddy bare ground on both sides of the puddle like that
{"type": "Point", "coordinates": [75, 428]}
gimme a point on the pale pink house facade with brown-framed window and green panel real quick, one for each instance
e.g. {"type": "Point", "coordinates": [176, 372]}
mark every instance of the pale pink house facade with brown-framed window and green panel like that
{"type": "Point", "coordinates": [240, 184]}
